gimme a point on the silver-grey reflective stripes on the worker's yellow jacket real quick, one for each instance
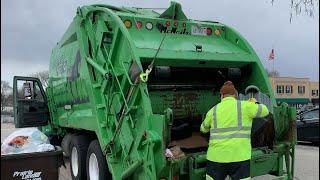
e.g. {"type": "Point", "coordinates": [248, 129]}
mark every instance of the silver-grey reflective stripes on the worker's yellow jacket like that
{"type": "Point", "coordinates": [215, 130]}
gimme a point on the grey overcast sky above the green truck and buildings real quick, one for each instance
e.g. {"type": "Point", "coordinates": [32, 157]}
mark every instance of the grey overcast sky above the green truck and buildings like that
{"type": "Point", "coordinates": [30, 29]}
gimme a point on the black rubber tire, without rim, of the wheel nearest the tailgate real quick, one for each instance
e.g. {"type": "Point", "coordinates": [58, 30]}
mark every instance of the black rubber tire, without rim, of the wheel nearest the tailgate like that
{"type": "Point", "coordinates": [94, 148]}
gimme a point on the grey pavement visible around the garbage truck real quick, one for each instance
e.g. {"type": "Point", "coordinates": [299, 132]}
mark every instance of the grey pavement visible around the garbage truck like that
{"type": "Point", "coordinates": [306, 160]}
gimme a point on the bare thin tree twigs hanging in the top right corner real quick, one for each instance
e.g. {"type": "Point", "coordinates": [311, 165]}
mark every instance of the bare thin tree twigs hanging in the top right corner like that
{"type": "Point", "coordinates": [306, 7]}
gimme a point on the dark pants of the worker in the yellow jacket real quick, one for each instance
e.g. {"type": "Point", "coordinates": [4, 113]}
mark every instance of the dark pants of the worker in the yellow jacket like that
{"type": "Point", "coordinates": [236, 170]}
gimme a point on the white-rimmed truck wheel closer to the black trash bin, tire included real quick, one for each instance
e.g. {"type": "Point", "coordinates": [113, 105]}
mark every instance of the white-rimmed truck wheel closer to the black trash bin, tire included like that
{"type": "Point", "coordinates": [78, 152]}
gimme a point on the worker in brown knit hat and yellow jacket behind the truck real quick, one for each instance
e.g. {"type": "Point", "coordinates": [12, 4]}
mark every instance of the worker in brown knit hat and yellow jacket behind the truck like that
{"type": "Point", "coordinates": [229, 123]}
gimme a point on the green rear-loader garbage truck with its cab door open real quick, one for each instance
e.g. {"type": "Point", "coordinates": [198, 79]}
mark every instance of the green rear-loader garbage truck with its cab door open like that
{"type": "Point", "coordinates": [129, 88]}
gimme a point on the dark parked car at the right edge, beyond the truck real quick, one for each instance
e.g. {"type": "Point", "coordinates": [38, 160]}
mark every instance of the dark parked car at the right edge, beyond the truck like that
{"type": "Point", "coordinates": [308, 126]}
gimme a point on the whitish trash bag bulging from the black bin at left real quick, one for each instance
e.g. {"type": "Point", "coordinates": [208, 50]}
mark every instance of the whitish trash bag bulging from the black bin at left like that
{"type": "Point", "coordinates": [26, 140]}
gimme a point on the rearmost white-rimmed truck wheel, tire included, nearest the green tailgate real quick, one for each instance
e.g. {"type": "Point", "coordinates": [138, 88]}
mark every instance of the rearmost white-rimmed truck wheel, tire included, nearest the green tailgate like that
{"type": "Point", "coordinates": [97, 167]}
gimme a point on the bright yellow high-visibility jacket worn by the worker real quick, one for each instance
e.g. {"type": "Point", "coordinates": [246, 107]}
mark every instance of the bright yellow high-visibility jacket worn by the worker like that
{"type": "Point", "coordinates": [229, 123]}
